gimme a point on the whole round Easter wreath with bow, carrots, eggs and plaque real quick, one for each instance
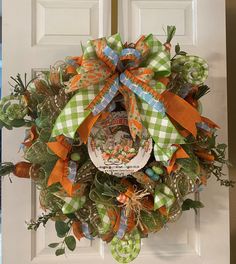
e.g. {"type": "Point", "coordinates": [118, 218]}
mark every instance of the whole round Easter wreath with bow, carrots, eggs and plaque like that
{"type": "Point", "coordinates": [115, 141]}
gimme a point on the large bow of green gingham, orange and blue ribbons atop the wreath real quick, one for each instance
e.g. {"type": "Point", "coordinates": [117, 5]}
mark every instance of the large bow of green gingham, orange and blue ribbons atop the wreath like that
{"type": "Point", "coordinates": [107, 66]}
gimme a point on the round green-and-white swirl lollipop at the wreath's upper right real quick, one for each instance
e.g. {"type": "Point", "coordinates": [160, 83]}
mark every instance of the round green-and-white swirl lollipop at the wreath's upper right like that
{"type": "Point", "coordinates": [194, 70]}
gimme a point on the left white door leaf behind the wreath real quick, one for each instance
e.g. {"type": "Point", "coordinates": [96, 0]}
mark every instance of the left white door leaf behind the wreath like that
{"type": "Point", "coordinates": [36, 34]}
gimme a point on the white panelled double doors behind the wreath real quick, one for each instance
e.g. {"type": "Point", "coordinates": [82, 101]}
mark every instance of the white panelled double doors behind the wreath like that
{"type": "Point", "coordinates": [39, 32]}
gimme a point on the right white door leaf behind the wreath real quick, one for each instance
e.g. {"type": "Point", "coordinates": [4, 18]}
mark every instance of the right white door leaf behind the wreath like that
{"type": "Point", "coordinates": [203, 238]}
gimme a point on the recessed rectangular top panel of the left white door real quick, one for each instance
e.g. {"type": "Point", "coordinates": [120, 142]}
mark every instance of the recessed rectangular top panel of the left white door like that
{"type": "Point", "coordinates": [65, 22]}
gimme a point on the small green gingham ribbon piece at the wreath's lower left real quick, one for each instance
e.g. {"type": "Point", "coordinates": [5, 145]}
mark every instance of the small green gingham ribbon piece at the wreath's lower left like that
{"type": "Point", "coordinates": [72, 204]}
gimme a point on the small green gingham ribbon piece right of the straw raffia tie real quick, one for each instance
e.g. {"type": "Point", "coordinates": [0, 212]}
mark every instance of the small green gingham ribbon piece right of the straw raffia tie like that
{"type": "Point", "coordinates": [163, 197]}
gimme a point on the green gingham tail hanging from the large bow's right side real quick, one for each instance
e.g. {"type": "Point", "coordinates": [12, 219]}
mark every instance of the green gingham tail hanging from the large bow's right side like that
{"type": "Point", "coordinates": [161, 130]}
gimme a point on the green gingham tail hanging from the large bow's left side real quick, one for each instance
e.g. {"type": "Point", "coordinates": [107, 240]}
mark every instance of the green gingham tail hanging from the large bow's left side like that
{"type": "Point", "coordinates": [74, 113]}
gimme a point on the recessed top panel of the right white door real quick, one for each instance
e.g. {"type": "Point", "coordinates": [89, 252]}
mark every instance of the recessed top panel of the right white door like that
{"type": "Point", "coordinates": [143, 17]}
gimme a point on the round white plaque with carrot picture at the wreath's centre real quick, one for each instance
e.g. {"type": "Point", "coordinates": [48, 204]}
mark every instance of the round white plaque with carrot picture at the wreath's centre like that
{"type": "Point", "coordinates": [112, 149]}
